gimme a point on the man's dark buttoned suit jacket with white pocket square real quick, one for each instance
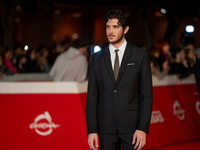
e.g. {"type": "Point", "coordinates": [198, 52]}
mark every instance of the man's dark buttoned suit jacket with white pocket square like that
{"type": "Point", "coordinates": [123, 105]}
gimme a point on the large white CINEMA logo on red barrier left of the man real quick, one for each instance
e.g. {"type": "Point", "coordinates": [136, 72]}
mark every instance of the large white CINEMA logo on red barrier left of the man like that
{"type": "Point", "coordinates": [40, 127]}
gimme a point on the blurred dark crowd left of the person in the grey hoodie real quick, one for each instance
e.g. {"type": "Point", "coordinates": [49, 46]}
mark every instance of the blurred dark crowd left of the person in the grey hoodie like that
{"type": "Point", "coordinates": [18, 60]}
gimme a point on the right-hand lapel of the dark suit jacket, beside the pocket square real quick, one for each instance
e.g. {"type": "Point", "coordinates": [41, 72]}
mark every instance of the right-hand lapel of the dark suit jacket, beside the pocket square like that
{"type": "Point", "coordinates": [127, 54]}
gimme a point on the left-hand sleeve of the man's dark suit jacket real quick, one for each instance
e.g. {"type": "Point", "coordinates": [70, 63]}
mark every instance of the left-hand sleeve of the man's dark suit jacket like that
{"type": "Point", "coordinates": [92, 99]}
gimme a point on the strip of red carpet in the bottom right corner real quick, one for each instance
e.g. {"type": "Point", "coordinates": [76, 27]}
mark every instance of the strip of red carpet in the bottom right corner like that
{"type": "Point", "coordinates": [192, 145]}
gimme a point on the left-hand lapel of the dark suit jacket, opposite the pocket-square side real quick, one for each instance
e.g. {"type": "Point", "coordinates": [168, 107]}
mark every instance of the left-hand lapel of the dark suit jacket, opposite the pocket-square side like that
{"type": "Point", "coordinates": [108, 63]}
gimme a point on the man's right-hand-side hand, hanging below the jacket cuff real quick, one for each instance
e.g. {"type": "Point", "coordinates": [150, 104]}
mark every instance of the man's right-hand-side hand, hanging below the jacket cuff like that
{"type": "Point", "coordinates": [141, 139]}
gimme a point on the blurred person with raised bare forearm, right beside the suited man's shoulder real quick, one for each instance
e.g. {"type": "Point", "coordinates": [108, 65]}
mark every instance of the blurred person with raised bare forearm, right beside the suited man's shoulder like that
{"type": "Point", "coordinates": [155, 68]}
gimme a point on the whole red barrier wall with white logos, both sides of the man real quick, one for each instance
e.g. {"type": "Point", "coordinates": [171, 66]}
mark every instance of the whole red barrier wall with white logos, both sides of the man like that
{"type": "Point", "coordinates": [52, 115]}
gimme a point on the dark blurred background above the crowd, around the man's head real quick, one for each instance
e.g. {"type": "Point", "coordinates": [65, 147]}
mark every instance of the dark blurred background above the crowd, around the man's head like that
{"type": "Point", "coordinates": [36, 22]}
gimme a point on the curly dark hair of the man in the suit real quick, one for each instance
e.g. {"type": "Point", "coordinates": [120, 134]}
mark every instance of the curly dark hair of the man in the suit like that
{"type": "Point", "coordinates": [118, 14]}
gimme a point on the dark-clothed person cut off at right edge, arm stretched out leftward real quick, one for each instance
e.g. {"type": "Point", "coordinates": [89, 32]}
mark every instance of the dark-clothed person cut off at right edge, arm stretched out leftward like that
{"type": "Point", "coordinates": [195, 69]}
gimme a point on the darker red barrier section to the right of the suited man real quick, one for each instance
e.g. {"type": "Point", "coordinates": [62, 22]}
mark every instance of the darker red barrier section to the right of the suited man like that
{"type": "Point", "coordinates": [175, 116]}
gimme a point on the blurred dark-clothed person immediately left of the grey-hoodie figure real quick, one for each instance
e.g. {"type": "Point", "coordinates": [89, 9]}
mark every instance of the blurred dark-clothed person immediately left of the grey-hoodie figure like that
{"type": "Point", "coordinates": [42, 60]}
